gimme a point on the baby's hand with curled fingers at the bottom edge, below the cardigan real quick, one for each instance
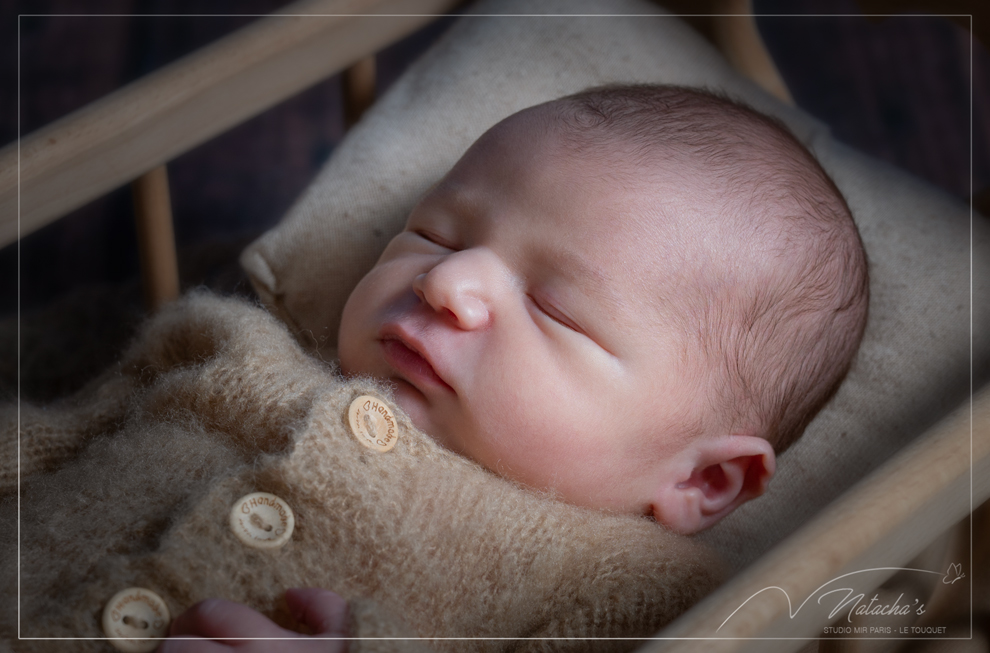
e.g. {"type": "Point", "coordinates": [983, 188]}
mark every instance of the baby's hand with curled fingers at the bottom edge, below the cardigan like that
{"type": "Point", "coordinates": [215, 622]}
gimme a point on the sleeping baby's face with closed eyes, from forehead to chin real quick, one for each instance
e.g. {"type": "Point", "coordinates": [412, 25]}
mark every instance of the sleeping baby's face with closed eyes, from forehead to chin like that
{"type": "Point", "coordinates": [517, 316]}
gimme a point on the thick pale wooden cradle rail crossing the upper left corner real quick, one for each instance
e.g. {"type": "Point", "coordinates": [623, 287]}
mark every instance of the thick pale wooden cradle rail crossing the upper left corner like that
{"type": "Point", "coordinates": [123, 135]}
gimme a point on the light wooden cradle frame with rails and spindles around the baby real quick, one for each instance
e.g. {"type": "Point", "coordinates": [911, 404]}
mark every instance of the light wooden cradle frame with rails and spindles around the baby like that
{"type": "Point", "coordinates": [890, 517]}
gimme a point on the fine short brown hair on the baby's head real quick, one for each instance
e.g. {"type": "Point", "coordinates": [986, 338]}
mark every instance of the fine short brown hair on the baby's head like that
{"type": "Point", "coordinates": [782, 297]}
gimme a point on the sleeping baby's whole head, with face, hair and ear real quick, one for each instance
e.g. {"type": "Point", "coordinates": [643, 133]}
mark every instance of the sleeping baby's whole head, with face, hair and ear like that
{"type": "Point", "coordinates": [631, 297]}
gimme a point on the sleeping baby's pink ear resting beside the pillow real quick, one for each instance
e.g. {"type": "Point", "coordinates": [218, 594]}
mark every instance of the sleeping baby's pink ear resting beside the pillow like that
{"type": "Point", "coordinates": [710, 478]}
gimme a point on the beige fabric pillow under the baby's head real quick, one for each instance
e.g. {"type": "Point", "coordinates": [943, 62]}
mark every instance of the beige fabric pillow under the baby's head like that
{"type": "Point", "coordinates": [914, 363]}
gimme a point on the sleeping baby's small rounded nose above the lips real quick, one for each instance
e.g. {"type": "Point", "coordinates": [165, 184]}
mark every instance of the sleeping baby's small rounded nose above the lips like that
{"type": "Point", "coordinates": [459, 288]}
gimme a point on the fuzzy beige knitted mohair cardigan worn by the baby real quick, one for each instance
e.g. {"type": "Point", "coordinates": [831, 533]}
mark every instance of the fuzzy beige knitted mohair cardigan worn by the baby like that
{"type": "Point", "coordinates": [131, 481]}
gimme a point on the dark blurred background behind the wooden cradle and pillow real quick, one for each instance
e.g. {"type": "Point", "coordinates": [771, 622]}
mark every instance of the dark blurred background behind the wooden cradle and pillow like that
{"type": "Point", "coordinates": [898, 88]}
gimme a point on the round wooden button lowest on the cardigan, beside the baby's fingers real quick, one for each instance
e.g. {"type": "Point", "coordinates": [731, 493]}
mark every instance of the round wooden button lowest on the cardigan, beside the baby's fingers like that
{"type": "Point", "coordinates": [134, 618]}
